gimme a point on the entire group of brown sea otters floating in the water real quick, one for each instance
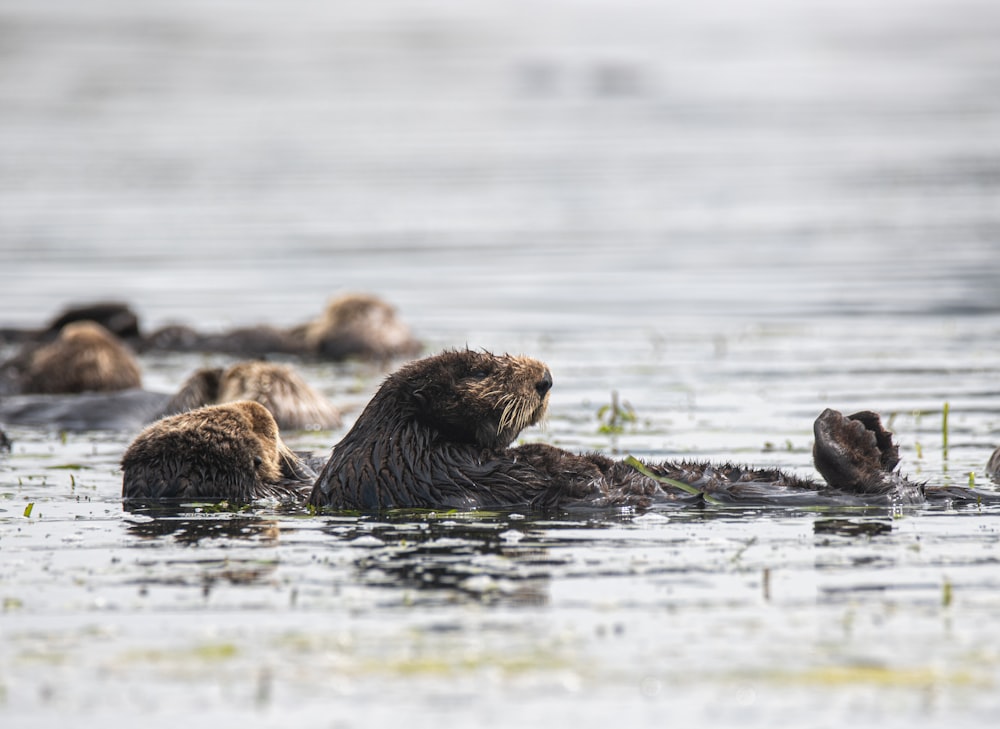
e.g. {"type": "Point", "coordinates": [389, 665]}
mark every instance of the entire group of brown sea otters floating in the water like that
{"type": "Point", "coordinates": [437, 434]}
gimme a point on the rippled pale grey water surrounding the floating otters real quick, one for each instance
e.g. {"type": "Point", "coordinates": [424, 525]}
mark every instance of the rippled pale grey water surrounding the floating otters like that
{"type": "Point", "coordinates": [733, 217]}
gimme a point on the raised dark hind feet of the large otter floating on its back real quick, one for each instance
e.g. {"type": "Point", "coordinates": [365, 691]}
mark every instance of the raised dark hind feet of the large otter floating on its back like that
{"type": "Point", "coordinates": [853, 451]}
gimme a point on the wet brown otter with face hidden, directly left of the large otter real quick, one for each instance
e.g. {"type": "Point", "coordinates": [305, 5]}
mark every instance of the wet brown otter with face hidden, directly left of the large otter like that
{"type": "Point", "coordinates": [230, 451]}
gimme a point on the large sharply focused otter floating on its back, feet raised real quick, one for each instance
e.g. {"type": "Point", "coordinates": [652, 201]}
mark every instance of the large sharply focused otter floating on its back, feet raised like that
{"type": "Point", "coordinates": [437, 434]}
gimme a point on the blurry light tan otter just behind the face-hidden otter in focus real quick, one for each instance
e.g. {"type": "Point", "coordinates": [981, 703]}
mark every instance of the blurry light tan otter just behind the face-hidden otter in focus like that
{"type": "Point", "coordinates": [278, 387]}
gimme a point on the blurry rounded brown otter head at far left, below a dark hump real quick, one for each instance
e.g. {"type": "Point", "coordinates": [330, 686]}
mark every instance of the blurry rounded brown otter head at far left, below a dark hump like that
{"type": "Point", "coordinates": [85, 357]}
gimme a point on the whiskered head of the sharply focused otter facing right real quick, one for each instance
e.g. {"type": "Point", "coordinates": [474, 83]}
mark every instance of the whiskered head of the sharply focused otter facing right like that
{"type": "Point", "coordinates": [475, 397]}
